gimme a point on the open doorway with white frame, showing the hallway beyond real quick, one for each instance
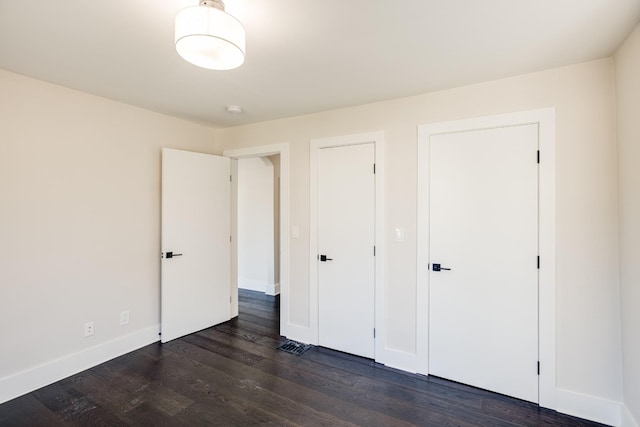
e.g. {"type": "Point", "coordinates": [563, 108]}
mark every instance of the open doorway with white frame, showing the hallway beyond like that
{"type": "Point", "coordinates": [260, 264]}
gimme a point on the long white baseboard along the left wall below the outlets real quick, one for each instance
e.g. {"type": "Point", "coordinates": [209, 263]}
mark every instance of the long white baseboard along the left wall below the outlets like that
{"type": "Point", "coordinates": [34, 378]}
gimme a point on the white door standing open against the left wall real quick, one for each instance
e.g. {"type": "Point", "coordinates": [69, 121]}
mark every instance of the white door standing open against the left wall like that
{"type": "Point", "coordinates": [195, 242]}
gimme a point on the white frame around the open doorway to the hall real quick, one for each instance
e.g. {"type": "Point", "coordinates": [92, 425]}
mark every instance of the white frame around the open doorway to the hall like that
{"type": "Point", "coordinates": [286, 328]}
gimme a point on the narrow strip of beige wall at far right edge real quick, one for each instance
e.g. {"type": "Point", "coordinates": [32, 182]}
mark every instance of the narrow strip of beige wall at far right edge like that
{"type": "Point", "coordinates": [627, 63]}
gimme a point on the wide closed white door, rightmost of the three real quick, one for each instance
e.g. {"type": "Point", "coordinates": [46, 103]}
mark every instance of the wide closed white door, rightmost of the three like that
{"type": "Point", "coordinates": [483, 312]}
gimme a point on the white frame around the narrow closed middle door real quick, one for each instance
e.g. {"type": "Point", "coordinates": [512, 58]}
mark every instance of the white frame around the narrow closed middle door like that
{"type": "Point", "coordinates": [377, 138]}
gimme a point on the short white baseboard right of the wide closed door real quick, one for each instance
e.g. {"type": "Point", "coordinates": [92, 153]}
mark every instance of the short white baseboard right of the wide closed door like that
{"type": "Point", "coordinates": [589, 407]}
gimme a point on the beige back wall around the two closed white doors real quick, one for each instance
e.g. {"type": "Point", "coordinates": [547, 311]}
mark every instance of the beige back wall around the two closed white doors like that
{"type": "Point", "coordinates": [588, 330]}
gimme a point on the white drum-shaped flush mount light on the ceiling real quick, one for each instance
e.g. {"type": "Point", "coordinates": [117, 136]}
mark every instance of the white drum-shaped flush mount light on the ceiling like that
{"type": "Point", "coordinates": [209, 37]}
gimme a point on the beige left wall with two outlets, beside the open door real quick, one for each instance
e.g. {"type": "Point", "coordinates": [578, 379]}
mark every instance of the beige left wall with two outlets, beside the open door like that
{"type": "Point", "coordinates": [79, 217]}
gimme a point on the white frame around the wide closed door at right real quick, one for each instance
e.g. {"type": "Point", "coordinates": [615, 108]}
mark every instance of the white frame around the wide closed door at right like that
{"type": "Point", "coordinates": [545, 118]}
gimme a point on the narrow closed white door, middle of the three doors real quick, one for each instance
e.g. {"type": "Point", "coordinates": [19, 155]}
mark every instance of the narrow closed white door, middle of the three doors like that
{"type": "Point", "coordinates": [346, 270]}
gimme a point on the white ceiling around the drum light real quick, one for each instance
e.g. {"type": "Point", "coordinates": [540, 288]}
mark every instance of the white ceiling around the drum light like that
{"type": "Point", "coordinates": [303, 56]}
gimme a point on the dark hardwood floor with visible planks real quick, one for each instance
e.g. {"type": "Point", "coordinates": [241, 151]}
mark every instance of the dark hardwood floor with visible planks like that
{"type": "Point", "coordinates": [232, 375]}
